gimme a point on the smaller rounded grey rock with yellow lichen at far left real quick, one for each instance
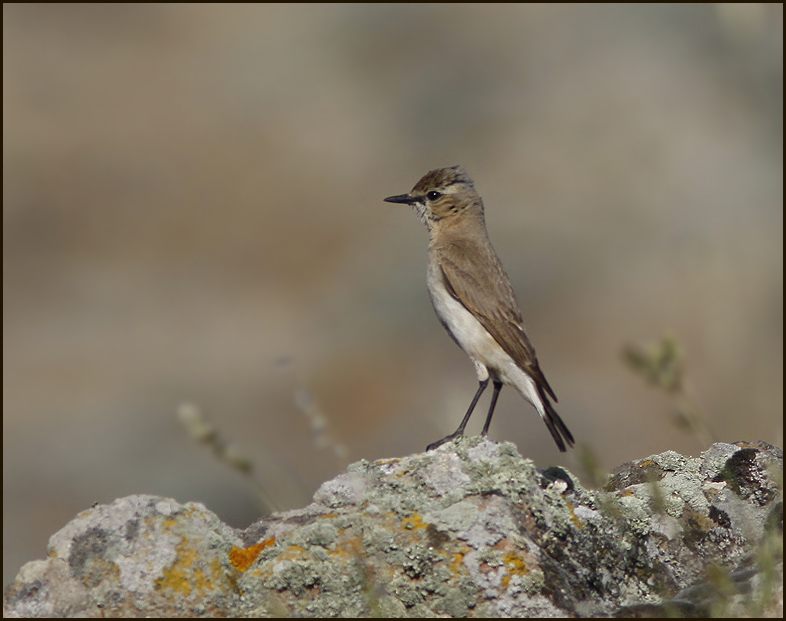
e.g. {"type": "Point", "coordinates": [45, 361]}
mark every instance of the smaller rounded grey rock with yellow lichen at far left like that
{"type": "Point", "coordinates": [139, 556]}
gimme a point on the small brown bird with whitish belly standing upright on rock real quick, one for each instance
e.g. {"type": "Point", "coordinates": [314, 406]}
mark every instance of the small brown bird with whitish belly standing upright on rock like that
{"type": "Point", "coordinates": [474, 300]}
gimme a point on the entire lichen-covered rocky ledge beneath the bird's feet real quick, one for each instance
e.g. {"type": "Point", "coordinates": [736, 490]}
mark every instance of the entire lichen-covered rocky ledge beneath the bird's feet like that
{"type": "Point", "coordinates": [470, 529]}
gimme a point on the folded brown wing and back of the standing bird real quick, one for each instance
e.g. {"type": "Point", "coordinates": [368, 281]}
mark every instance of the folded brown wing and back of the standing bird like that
{"type": "Point", "coordinates": [475, 277]}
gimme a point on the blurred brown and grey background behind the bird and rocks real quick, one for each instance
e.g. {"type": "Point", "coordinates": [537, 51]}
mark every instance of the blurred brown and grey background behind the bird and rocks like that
{"type": "Point", "coordinates": [192, 213]}
